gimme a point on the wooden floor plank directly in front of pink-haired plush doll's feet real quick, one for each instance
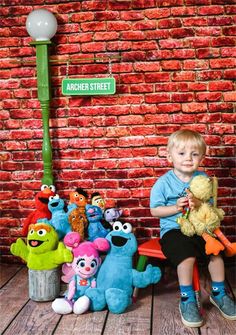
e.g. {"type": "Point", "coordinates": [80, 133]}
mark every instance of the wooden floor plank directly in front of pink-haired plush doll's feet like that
{"type": "Point", "coordinates": [90, 323]}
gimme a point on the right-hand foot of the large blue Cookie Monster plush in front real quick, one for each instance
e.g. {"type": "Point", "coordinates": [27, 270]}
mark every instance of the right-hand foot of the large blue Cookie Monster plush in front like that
{"type": "Point", "coordinates": [117, 300]}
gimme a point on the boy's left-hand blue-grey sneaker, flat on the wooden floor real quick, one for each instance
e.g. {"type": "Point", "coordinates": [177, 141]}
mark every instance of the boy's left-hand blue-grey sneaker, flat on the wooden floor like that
{"type": "Point", "coordinates": [190, 315]}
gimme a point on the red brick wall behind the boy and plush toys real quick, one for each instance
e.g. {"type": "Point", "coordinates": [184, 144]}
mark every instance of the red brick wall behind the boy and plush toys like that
{"type": "Point", "coordinates": [177, 69]}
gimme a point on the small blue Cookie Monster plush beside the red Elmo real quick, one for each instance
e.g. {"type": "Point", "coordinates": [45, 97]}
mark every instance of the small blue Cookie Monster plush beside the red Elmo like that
{"type": "Point", "coordinates": [59, 218]}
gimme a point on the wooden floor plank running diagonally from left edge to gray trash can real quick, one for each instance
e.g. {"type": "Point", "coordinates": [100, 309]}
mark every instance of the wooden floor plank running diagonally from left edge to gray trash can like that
{"type": "Point", "coordinates": [13, 296]}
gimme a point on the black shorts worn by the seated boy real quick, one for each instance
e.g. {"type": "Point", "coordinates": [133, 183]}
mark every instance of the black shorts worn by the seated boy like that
{"type": "Point", "coordinates": [177, 247]}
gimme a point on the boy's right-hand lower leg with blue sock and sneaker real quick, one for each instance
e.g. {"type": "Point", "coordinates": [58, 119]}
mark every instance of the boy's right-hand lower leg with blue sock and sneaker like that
{"type": "Point", "coordinates": [218, 297]}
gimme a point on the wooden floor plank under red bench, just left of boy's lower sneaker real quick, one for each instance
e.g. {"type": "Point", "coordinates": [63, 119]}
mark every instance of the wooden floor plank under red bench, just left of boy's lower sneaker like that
{"type": "Point", "coordinates": [166, 315]}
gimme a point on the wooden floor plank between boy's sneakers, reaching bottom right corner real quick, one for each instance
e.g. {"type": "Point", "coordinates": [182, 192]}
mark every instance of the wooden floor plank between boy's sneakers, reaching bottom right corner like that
{"type": "Point", "coordinates": [215, 323]}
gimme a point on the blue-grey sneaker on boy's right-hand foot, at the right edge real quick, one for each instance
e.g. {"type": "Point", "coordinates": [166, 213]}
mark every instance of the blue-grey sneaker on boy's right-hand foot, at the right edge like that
{"type": "Point", "coordinates": [226, 306]}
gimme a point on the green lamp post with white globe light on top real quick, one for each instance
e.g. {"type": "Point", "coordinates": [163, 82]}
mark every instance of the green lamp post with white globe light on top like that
{"type": "Point", "coordinates": [41, 26]}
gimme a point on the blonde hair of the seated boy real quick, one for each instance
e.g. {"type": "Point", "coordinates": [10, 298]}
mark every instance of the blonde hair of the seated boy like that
{"type": "Point", "coordinates": [184, 136]}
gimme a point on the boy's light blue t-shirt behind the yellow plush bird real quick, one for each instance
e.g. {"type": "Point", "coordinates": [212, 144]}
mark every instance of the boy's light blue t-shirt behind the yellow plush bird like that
{"type": "Point", "coordinates": [165, 192]}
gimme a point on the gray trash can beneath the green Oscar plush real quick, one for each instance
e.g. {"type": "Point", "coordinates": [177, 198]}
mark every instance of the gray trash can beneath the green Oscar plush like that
{"type": "Point", "coordinates": [44, 285]}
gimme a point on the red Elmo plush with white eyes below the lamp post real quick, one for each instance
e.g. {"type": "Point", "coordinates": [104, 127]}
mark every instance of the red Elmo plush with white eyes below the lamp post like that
{"type": "Point", "coordinates": [41, 205]}
